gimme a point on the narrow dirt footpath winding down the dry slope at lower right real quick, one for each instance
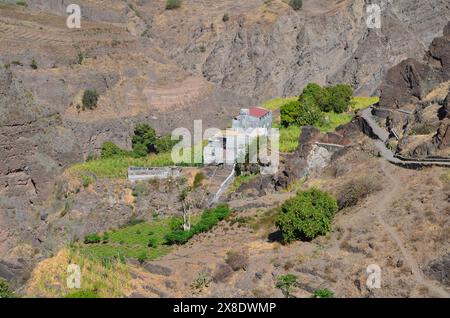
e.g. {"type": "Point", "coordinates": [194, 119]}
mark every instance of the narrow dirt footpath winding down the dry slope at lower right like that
{"type": "Point", "coordinates": [385, 205]}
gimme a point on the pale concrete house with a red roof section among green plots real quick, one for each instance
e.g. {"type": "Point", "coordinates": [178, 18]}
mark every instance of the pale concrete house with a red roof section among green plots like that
{"type": "Point", "coordinates": [226, 147]}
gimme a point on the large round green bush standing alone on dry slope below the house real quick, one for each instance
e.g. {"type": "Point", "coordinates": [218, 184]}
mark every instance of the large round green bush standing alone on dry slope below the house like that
{"type": "Point", "coordinates": [306, 216]}
